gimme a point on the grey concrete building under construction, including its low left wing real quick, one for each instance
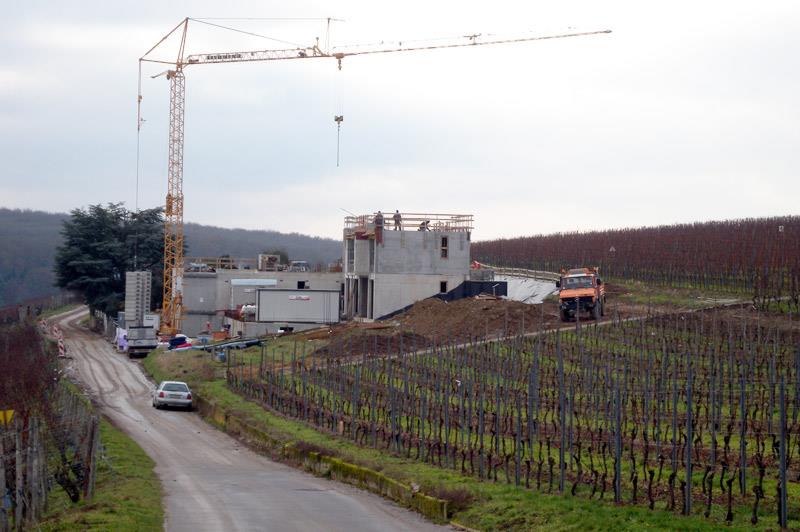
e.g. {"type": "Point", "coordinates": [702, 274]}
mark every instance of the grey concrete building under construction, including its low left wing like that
{"type": "Point", "coordinates": [389, 262]}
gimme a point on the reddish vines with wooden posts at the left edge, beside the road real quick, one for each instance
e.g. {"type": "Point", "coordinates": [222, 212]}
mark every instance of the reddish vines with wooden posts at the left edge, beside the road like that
{"type": "Point", "coordinates": [49, 436]}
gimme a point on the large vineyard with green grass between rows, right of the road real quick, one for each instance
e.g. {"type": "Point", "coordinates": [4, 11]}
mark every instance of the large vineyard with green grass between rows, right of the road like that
{"type": "Point", "coordinates": [694, 413]}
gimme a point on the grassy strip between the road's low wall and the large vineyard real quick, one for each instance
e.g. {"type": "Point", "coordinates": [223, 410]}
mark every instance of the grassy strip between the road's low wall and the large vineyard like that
{"type": "Point", "coordinates": [494, 506]}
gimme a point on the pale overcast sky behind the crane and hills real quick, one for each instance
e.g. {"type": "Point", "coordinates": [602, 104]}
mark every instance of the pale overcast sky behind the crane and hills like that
{"type": "Point", "coordinates": [687, 111]}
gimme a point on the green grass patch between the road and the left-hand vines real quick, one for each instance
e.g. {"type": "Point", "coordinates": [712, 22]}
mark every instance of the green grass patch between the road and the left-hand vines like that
{"type": "Point", "coordinates": [127, 492]}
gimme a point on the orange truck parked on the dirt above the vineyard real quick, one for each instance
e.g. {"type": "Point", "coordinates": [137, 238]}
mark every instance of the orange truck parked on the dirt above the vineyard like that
{"type": "Point", "coordinates": [581, 289]}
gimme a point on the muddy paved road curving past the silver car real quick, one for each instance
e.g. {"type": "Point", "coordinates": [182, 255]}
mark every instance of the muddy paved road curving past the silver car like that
{"type": "Point", "coordinates": [210, 481]}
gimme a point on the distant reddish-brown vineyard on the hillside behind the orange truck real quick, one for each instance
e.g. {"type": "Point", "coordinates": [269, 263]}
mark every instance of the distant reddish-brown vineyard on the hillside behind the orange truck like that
{"type": "Point", "coordinates": [758, 257]}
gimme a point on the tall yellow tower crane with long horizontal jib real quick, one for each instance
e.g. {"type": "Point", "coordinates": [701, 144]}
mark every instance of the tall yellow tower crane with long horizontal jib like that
{"type": "Point", "coordinates": [172, 306]}
